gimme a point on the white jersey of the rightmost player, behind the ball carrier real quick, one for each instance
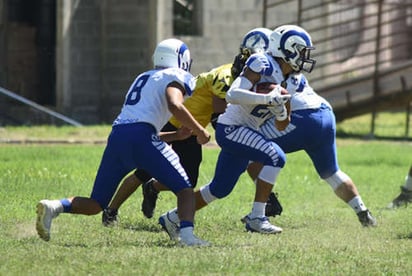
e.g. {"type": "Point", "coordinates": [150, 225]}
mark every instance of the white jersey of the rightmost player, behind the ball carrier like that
{"type": "Point", "coordinates": [303, 95]}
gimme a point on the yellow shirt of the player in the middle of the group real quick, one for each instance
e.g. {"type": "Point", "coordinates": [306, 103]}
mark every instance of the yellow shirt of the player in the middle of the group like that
{"type": "Point", "coordinates": [215, 82]}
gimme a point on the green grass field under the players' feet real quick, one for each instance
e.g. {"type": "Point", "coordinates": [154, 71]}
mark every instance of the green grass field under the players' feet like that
{"type": "Point", "coordinates": [322, 235]}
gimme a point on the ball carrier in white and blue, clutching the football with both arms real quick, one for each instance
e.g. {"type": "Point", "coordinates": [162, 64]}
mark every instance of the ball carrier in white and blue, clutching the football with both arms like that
{"type": "Point", "coordinates": [237, 133]}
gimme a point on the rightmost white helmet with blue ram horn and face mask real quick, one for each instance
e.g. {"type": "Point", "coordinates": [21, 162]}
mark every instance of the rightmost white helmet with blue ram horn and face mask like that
{"type": "Point", "coordinates": [293, 44]}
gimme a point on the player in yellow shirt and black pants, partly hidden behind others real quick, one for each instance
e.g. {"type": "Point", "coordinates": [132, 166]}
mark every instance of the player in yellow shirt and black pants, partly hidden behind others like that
{"type": "Point", "coordinates": [206, 104]}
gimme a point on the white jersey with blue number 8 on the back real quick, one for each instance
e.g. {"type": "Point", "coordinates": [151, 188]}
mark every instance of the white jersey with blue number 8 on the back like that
{"type": "Point", "coordinates": [146, 99]}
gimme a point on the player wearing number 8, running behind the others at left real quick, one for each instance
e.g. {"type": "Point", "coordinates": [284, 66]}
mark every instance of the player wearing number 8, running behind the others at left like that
{"type": "Point", "coordinates": [153, 97]}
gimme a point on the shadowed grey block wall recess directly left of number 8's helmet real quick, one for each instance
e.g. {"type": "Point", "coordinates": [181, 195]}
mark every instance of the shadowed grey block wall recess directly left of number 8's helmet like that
{"type": "Point", "coordinates": [125, 50]}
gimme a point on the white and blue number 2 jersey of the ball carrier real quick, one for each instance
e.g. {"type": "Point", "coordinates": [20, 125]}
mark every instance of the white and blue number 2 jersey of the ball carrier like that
{"type": "Point", "coordinates": [254, 116]}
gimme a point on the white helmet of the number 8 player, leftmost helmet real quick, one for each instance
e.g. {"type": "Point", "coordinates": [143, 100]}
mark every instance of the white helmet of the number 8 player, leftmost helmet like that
{"type": "Point", "coordinates": [172, 53]}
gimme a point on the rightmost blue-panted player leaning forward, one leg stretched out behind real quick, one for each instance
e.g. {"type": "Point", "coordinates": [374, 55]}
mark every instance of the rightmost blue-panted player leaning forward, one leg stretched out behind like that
{"type": "Point", "coordinates": [313, 124]}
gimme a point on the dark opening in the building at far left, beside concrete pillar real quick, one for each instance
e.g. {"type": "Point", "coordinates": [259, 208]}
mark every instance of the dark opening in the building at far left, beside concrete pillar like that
{"type": "Point", "coordinates": [31, 50]}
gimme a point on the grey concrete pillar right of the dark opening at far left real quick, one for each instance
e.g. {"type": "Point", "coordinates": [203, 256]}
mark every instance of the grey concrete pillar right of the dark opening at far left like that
{"type": "Point", "coordinates": [78, 59]}
